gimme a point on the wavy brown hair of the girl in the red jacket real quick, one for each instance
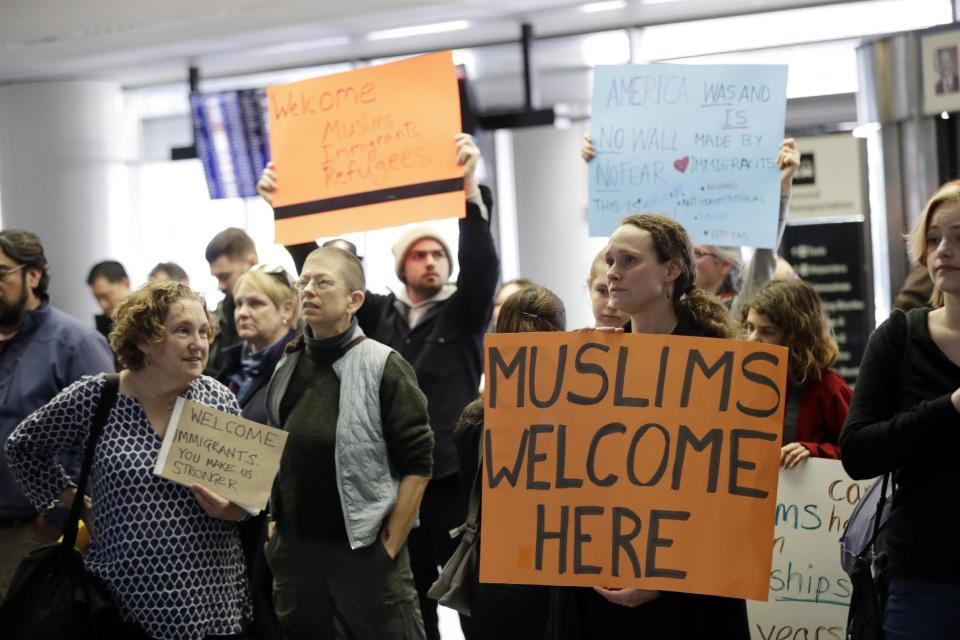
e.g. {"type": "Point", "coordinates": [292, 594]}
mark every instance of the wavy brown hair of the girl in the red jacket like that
{"type": "Point", "coordinates": [795, 308]}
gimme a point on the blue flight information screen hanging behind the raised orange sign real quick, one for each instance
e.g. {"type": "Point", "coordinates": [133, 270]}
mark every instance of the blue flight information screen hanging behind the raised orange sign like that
{"type": "Point", "coordinates": [231, 135]}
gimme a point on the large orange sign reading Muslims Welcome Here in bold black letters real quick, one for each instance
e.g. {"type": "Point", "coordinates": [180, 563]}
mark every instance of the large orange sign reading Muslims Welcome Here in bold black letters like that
{"type": "Point", "coordinates": [628, 460]}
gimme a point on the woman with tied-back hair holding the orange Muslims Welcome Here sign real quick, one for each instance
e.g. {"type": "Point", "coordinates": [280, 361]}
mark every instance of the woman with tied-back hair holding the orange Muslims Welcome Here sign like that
{"type": "Point", "coordinates": [650, 275]}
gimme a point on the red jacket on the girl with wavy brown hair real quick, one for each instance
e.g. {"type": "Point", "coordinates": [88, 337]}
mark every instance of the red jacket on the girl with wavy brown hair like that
{"type": "Point", "coordinates": [823, 408]}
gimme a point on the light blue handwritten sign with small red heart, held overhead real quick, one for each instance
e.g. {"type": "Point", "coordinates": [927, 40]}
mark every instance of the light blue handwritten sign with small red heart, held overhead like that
{"type": "Point", "coordinates": [695, 142]}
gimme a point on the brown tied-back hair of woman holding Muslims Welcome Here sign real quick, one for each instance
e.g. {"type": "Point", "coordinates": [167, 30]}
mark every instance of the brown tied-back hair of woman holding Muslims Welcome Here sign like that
{"type": "Point", "coordinates": [671, 242]}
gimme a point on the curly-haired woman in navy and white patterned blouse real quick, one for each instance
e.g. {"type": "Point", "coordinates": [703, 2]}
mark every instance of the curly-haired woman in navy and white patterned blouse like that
{"type": "Point", "coordinates": [169, 555]}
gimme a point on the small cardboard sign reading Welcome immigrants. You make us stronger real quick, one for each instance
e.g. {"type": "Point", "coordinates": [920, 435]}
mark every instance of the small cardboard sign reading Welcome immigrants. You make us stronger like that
{"type": "Point", "coordinates": [235, 458]}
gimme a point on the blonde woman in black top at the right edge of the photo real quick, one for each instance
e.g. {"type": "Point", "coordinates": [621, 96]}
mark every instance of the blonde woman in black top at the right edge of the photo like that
{"type": "Point", "coordinates": [904, 420]}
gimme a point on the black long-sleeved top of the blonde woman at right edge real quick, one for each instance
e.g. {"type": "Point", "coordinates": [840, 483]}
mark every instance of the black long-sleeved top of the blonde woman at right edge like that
{"type": "Point", "coordinates": [901, 420]}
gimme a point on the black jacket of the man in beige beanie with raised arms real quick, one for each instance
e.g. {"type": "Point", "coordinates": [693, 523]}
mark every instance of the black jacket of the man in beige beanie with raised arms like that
{"type": "Point", "coordinates": [446, 346]}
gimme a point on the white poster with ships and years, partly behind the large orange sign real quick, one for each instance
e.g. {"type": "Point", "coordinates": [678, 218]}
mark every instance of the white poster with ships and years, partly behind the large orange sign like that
{"type": "Point", "coordinates": [809, 591]}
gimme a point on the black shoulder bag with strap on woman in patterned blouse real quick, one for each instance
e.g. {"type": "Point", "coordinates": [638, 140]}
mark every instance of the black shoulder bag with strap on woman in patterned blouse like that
{"type": "Point", "coordinates": [52, 597]}
